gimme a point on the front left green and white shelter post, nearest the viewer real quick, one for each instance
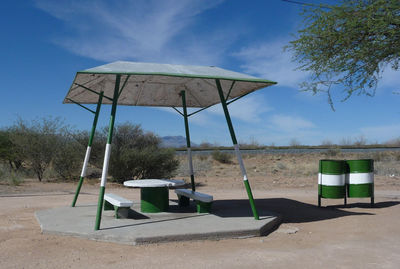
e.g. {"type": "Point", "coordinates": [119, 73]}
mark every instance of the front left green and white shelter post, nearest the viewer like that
{"type": "Point", "coordinates": [107, 154]}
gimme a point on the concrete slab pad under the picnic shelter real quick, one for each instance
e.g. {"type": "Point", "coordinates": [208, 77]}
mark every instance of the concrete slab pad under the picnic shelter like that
{"type": "Point", "coordinates": [229, 219]}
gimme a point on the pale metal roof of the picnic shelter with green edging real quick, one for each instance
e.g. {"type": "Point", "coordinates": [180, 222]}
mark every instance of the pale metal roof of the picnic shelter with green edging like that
{"type": "Point", "coordinates": [150, 84]}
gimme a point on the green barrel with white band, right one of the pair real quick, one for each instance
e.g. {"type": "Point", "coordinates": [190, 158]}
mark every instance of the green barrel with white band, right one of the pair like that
{"type": "Point", "coordinates": [360, 178]}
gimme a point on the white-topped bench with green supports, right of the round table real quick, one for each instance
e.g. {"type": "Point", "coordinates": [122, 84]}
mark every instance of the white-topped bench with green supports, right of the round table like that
{"type": "Point", "coordinates": [203, 201]}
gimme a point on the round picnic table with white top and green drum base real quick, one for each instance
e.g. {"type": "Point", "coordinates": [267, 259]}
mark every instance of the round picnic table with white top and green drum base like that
{"type": "Point", "coordinates": [154, 194]}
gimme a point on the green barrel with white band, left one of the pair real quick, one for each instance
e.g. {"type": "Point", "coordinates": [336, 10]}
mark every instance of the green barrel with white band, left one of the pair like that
{"type": "Point", "coordinates": [331, 179]}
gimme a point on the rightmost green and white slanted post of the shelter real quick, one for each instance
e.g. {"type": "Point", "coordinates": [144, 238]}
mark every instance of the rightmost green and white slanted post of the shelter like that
{"type": "Point", "coordinates": [237, 151]}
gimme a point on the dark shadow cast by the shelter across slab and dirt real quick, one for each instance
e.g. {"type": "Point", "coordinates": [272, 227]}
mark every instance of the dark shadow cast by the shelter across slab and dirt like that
{"type": "Point", "coordinates": [292, 211]}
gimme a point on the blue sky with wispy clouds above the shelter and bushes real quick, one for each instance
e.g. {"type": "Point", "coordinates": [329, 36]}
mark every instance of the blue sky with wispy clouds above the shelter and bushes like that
{"type": "Point", "coordinates": [44, 43]}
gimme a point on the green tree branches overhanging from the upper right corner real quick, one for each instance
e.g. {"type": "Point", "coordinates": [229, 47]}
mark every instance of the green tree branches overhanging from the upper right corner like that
{"type": "Point", "coordinates": [348, 44]}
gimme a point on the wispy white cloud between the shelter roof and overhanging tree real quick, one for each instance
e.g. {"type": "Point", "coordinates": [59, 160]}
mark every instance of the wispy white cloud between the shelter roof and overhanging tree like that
{"type": "Point", "coordinates": [269, 60]}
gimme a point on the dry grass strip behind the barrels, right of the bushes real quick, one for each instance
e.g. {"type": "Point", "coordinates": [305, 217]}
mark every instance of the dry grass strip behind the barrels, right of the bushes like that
{"type": "Point", "coordinates": [285, 170]}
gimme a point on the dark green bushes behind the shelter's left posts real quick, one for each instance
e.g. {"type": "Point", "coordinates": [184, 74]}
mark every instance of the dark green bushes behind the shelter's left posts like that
{"type": "Point", "coordinates": [48, 143]}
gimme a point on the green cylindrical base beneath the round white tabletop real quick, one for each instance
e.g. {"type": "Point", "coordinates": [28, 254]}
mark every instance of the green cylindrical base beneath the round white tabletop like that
{"type": "Point", "coordinates": [154, 200]}
